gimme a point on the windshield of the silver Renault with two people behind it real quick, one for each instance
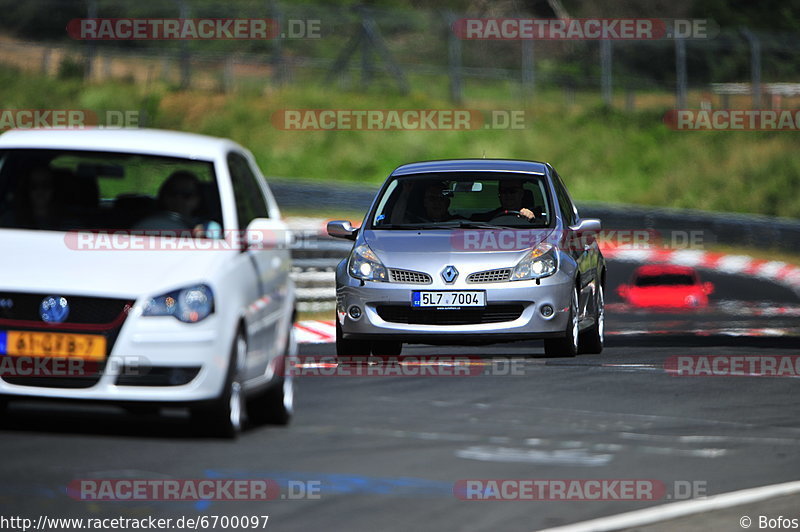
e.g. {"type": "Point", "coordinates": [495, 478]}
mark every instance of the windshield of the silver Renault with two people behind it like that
{"type": "Point", "coordinates": [464, 199]}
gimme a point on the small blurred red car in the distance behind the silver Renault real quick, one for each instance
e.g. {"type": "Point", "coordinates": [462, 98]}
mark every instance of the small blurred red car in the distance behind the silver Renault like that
{"type": "Point", "coordinates": [664, 285]}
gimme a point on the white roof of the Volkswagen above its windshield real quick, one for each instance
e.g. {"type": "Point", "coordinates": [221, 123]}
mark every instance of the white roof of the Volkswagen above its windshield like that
{"type": "Point", "coordinates": [146, 141]}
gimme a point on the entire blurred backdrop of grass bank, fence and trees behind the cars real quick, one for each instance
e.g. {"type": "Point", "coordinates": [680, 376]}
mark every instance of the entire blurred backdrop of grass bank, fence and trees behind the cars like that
{"type": "Point", "coordinates": [594, 109]}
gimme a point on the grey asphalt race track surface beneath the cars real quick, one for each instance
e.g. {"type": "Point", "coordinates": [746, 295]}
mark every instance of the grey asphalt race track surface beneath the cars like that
{"type": "Point", "coordinates": [385, 453]}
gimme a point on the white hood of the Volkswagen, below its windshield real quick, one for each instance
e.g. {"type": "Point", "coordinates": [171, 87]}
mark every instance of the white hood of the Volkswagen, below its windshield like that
{"type": "Point", "coordinates": [43, 261]}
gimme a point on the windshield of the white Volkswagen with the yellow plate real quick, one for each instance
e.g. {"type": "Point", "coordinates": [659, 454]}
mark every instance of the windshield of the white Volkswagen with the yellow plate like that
{"type": "Point", "coordinates": [60, 190]}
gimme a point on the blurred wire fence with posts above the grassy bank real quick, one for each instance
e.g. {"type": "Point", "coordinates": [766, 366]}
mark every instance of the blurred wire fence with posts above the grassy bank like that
{"type": "Point", "coordinates": [393, 49]}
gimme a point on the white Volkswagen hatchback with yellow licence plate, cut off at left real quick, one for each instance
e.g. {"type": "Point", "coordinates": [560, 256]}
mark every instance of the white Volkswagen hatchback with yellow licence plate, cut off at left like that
{"type": "Point", "coordinates": [146, 268]}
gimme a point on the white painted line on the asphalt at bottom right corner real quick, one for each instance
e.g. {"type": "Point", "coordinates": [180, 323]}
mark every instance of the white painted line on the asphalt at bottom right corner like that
{"type": "Point", "coordinates": [675, 510]}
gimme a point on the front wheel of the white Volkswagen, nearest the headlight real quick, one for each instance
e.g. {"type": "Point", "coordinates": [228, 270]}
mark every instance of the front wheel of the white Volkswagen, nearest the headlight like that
{"type": "Point", "coordinates": [224, 417]}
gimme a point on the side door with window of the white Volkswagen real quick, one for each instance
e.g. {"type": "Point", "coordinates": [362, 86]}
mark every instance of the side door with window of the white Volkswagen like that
{"type": "Point", "coordinates": [267, 310]}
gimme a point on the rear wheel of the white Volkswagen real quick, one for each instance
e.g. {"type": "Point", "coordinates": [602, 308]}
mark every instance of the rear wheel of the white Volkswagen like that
{"type": "Point", "coordinates": [275, 405]}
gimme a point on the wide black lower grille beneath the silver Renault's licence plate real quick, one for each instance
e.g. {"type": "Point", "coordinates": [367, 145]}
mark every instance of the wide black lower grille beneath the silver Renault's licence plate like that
{"type": "Point", "coordinates": [464, 316]}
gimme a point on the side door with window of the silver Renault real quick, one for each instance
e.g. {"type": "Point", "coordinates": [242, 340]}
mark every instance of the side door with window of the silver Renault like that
{"type": "Point", "coordinates": [584, 250]}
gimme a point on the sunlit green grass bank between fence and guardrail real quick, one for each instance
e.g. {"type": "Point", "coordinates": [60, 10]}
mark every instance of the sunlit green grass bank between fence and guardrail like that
{"type": "Point", "coordinates": [602, 154]}
